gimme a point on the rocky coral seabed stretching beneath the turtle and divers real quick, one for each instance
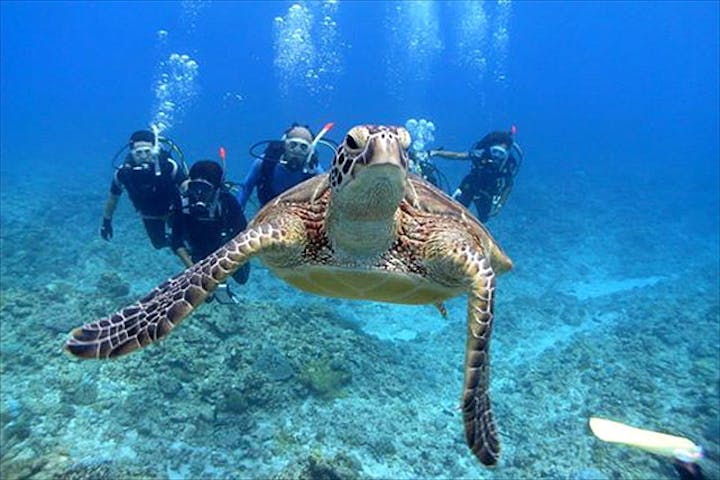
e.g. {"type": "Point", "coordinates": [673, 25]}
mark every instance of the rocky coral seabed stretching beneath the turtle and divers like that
{"type": "Point", "coordinates": [258, 389]}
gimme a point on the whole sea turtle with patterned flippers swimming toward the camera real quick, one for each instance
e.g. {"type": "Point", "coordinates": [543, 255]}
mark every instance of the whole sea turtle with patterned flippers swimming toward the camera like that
{"type": "Point", "coordinates": [367, 230]}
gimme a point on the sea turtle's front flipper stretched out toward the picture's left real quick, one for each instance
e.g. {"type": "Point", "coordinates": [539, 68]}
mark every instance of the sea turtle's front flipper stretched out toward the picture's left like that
{"type": "Point", "coordinates": [152, 317]}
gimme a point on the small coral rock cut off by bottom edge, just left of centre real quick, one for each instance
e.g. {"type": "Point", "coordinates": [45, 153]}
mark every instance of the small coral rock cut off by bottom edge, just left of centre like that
{"type": "Point", "coordinates": [317, 467]}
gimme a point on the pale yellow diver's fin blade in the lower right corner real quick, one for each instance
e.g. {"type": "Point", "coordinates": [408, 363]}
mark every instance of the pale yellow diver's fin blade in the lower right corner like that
{"type": "Point", "coordinates": [654, 442]}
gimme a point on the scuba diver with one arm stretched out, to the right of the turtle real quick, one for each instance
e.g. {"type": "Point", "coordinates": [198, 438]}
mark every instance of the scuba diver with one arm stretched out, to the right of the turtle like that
{"type": "Point", "coordinates": [495, 160]}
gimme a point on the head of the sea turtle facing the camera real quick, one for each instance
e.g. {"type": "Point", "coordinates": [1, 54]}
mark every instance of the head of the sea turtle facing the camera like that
{"type": "Point", "coordinates": [369, 172]}
